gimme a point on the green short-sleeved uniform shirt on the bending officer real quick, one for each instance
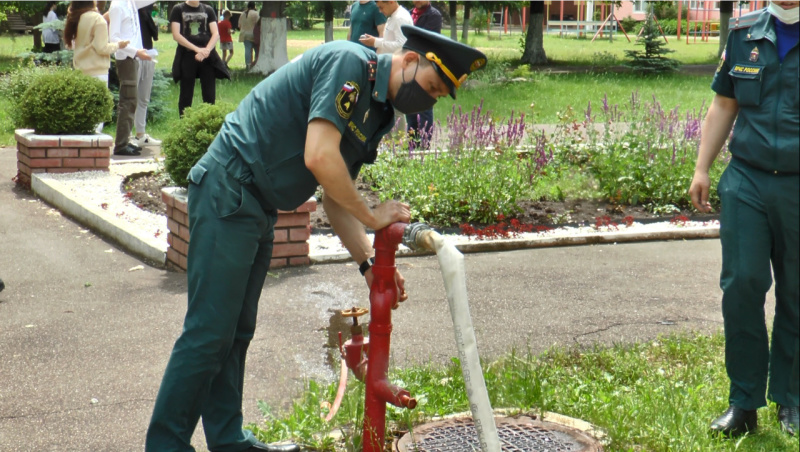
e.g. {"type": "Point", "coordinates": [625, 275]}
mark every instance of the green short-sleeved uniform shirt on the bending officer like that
{"type": "Point", "coordinates": [263, 141]}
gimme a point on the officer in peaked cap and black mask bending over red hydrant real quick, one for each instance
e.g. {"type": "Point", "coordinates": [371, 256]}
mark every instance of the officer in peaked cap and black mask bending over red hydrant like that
{"type": "Point", "coordinates": [315, 121]}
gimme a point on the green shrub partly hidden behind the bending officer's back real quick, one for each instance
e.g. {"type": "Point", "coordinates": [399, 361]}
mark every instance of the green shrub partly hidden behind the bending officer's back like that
{"type": "Point", "coordinates": [190, 138]}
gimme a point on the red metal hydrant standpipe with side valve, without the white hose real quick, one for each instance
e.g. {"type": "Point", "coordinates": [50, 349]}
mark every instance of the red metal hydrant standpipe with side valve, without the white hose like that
{"type": "Point", "coordinates": [382, 298]}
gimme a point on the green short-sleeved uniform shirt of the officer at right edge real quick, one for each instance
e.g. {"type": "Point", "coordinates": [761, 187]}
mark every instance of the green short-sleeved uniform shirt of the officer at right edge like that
{"type": "Point", "coordinates": [767, 128]}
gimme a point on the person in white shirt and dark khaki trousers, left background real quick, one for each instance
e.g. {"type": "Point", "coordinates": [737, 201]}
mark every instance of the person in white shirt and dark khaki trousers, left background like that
{"type": "Point", "coordinates": [123, 25]}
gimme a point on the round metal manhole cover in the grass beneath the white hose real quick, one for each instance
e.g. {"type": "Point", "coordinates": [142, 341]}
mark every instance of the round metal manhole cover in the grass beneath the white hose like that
{"type": "Point", "coordinates": [518, 434]}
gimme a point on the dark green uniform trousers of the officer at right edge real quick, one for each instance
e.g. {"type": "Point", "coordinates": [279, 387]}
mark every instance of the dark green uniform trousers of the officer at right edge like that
{"type": "Point", "coordinates": [759, 226]}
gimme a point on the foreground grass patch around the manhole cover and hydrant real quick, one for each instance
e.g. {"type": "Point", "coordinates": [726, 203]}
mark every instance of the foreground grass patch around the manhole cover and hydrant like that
{"type": "Point", "coordinates": [655, 396]}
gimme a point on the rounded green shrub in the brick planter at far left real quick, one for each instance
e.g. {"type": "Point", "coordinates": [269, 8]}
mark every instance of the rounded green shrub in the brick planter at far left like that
{"type": "Point", "coordinates": [64, 102]}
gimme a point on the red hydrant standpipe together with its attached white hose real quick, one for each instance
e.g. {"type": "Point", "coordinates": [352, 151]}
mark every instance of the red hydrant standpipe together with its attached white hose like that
{"type": "Point", "coordinates": [383, 298]}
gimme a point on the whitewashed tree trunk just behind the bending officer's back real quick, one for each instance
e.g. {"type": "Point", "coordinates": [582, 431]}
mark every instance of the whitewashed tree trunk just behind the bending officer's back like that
{"type": "Point", "coordinates": [272, 53]}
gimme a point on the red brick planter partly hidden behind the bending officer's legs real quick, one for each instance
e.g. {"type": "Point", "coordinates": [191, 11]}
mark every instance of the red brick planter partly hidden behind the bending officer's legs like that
{"type": "Point", "coordinates": [291, 232]}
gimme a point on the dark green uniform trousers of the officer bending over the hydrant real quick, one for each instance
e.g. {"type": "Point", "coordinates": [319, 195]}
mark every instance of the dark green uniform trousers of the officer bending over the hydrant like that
{"type": "Point", "coordinates": [229, 253]}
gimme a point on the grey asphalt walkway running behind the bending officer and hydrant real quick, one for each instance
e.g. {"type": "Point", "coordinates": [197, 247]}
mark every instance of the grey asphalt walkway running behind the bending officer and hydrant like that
{"type": "Point", "coordinates": [84, 340]}
